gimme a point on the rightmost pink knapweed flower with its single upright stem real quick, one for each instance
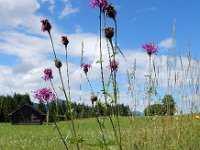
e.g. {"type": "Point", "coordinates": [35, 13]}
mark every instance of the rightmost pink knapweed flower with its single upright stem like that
{"type": "Point", "coordinates": [150, 49]}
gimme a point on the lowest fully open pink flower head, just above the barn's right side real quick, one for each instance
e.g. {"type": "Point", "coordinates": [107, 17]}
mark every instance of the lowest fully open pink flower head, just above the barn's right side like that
{"type": "Point", "coordinates": [45, 95]}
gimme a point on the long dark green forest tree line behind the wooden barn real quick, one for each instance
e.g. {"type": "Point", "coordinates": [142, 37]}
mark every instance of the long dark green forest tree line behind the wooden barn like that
{"type": "Point", "coordinates": [58, 110]}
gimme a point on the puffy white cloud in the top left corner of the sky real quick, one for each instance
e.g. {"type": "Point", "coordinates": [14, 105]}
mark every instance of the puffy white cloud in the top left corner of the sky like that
{"type": "Point", "coordinates": [20, 12]}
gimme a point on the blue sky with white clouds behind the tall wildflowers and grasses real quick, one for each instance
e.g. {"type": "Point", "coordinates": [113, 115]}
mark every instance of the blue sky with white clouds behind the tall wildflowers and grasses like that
{"type": "Point", "coordinates": [25, 51]}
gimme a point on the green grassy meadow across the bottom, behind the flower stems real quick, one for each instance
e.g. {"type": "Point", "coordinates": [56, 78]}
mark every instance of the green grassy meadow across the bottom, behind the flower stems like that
{"type": "Point", "coordinates": [178, 132]}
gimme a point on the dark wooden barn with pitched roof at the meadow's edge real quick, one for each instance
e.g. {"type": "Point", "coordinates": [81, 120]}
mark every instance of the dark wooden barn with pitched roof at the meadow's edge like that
{"type": "Point", "coordinates": [27, 114]}
